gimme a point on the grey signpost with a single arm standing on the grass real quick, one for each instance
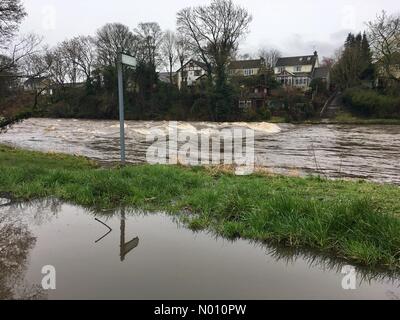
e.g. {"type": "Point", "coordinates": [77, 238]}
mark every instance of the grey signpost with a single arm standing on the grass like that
{"type": "Point", "coordinates": [123, 59]}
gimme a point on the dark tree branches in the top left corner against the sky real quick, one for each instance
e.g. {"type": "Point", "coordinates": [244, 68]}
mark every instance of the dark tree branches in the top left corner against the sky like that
{"type": "Point", "coordinates": [12, 13]}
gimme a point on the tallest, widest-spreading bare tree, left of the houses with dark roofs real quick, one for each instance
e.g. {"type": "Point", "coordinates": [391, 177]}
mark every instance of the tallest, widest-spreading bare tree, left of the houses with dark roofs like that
{"type": "Point", "coordinates": [214, 32]}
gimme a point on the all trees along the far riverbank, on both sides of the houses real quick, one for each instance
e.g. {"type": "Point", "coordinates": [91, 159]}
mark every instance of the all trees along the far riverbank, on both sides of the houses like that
{"type": "Point", "coordinates": [83, 69]}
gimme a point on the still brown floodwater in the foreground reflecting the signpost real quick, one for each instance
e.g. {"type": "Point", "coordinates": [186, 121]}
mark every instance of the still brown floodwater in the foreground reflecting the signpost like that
{"type": "Point", "coordinates": [128, 255]}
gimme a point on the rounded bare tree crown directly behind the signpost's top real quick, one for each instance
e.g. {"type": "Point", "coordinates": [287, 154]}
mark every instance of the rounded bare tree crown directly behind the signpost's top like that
{"type": "Point", "coordinates": [112, 38]}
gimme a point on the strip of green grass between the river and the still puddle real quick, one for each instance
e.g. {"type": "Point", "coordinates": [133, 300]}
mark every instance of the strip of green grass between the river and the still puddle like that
{"type": "Point", "coordinates": [357, 221]}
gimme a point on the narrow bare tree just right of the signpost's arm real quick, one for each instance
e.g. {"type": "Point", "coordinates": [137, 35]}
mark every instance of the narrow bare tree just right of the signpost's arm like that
{"type": "Point", "coordinates": [150, 39]}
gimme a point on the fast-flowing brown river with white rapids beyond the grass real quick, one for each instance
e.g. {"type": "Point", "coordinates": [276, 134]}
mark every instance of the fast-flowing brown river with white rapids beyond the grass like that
{"type": "Point", "coordinates": [369, 152]}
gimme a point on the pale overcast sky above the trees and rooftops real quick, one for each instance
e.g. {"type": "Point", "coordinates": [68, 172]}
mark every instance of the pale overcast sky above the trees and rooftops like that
{"type": "Point", "coordinates": [295, 27]}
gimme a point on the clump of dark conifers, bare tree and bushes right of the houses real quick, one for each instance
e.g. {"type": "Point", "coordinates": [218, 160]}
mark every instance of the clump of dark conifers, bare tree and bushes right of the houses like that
{"type": "Point", "coordinates": [367, 70]}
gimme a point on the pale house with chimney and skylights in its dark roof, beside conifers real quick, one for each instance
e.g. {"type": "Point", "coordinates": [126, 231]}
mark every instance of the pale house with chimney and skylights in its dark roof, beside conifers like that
{"type": "Point", "coordinates": [296, 72]}
